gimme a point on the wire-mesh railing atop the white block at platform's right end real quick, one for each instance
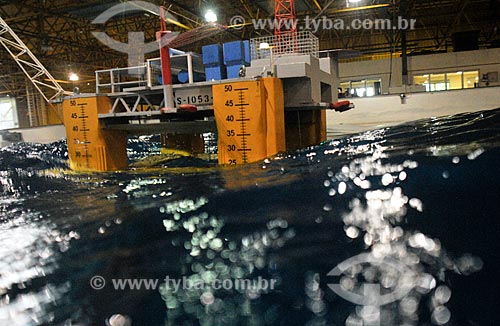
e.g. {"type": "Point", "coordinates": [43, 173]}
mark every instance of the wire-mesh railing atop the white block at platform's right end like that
{"type": "Point", "coordinates": [286, 44]}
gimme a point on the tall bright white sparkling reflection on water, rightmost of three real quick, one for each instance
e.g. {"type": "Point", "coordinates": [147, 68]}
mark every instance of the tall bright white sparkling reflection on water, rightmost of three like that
{"type": "Point", "coordinates": [377, 220]}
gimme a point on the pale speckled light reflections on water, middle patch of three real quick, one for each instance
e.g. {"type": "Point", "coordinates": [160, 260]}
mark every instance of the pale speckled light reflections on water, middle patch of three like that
{"type": "Point", "coordinates": [211, 257]}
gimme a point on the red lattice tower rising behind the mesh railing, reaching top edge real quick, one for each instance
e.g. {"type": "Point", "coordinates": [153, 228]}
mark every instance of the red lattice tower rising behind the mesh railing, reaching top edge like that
{"type": "Point", "coordinates": [285, 28]}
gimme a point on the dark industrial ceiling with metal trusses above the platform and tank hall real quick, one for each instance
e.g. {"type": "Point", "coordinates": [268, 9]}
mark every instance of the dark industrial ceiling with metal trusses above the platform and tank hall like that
{"type": "Point", "coordinates": [59, 32]}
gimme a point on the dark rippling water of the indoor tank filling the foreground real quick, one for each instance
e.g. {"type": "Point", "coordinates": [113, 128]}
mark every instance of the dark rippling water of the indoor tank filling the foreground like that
{"type": "Point", "coordinates": [426, 196]}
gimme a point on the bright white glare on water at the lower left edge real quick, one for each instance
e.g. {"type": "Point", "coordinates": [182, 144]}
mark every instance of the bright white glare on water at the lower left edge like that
{"type": "Point", "coordinates": [27, 256]}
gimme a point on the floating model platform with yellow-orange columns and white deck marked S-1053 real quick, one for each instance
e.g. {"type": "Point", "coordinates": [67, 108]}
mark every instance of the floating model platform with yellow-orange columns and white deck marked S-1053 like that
{"type": "Point", "coordinates": [277, 103]}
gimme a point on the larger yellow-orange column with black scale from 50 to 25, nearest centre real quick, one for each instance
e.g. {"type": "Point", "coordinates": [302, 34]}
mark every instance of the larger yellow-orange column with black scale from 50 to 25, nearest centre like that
{"type": "Point", "coordinates": [250, 120]}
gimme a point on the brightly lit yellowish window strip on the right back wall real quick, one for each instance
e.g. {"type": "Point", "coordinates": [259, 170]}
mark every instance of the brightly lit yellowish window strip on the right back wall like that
{"type": "Point", "coordinates": [447, 81]}
